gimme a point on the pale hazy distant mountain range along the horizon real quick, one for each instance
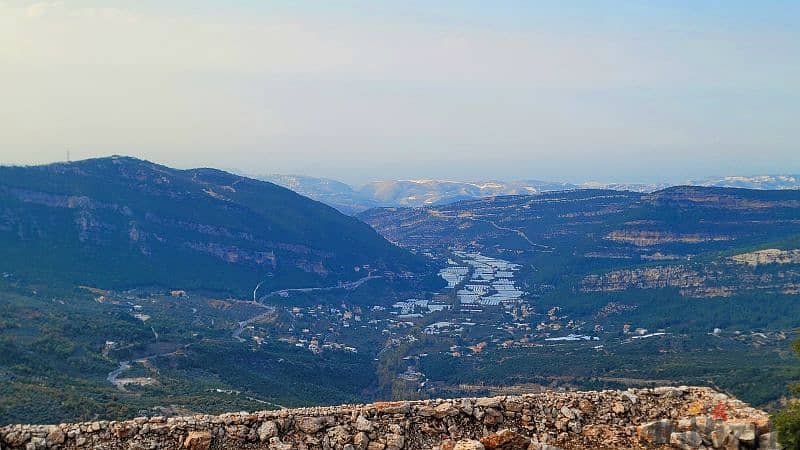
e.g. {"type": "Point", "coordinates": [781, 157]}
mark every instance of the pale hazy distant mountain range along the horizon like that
{"type": "Point", "coordinates": [396, 193]}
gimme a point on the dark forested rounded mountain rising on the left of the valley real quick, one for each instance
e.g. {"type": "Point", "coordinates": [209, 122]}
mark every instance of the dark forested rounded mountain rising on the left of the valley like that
{"type": "Point", "coordinates": [122, 222]}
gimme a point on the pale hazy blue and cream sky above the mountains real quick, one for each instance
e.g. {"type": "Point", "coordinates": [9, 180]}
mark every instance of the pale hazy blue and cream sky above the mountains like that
{"type": "Point", "coordinates": [365, 90]}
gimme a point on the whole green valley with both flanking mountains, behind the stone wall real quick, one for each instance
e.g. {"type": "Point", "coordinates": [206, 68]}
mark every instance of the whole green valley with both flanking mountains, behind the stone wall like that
{"type": "Point", "coordinates": [577, 289]}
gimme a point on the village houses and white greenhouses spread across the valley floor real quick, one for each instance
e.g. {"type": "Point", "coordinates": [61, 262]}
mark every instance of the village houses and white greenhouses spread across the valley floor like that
{"type": "Point", "coordinates": [484, 307]}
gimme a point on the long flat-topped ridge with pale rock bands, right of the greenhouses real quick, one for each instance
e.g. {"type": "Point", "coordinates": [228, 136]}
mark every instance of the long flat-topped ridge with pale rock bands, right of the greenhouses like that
{"type": "Point", "coordinates": [587, 227]}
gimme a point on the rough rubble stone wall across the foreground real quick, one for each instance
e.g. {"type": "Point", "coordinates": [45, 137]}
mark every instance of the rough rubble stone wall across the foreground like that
{"type": "Point", "coordinates": [683, 417]}
